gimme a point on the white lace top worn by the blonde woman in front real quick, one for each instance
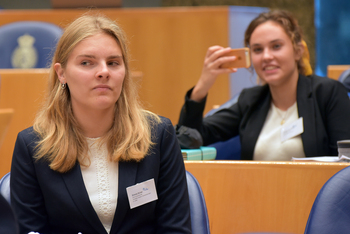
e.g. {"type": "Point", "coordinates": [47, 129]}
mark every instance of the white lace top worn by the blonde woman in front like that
{"type": "Point", "coordinates": [101, 182]}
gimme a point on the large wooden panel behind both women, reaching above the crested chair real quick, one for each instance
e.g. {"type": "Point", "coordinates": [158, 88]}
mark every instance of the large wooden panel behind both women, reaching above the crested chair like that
{"type": "Point", "coordinates": [167, 44]}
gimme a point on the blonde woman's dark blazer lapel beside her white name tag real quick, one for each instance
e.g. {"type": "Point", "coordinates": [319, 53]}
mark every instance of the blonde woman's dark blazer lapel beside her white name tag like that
{"type": "Point", "coordinates": [127, 178]}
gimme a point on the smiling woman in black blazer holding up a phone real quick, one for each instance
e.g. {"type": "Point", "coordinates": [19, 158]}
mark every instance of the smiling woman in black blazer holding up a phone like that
{"type": "Point", "coordinates": [290, 115]}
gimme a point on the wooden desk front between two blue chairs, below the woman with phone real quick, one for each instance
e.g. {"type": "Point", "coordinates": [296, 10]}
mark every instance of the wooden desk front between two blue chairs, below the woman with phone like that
{"type": "Point", "coordinates": [252, 196]}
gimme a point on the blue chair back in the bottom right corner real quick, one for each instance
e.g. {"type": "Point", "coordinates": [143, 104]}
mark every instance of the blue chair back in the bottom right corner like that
{"type": "Point", "coordinates": [330, 213]}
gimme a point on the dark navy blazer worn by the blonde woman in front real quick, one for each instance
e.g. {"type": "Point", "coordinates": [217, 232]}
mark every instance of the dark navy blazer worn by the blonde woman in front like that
{"type": "Point", "coordinates": [46, 201]}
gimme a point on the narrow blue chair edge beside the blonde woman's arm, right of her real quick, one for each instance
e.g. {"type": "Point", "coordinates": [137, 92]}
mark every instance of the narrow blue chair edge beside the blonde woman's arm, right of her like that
{"type": "Point", "coordinates": [199, 215]}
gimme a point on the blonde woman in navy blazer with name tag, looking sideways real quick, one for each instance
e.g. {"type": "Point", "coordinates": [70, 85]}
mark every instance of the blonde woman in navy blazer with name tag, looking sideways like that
{"type": "Point", "coordinates": [94, 160]}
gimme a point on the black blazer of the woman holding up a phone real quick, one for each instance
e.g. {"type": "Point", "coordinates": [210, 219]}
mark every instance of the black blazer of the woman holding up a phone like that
{"type": "Point", "coordinates": [323, 103]}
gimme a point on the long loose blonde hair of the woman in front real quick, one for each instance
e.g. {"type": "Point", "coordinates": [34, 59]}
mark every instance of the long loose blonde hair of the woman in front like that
{"type": "Point", "coordinates": [61, 140]}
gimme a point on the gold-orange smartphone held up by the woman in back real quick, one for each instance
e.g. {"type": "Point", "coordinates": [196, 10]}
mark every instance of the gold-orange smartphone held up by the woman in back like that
{"type": "Point", "coordinates": [242, 58]}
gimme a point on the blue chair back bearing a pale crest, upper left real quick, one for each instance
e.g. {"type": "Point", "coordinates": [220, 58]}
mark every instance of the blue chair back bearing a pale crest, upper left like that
{"type": "Point", "coordinates": [28, 44]}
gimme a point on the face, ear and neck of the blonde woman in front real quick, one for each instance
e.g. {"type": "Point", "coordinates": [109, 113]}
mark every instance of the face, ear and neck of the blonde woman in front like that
{"type": "Point", "coordinates": [94, 73]}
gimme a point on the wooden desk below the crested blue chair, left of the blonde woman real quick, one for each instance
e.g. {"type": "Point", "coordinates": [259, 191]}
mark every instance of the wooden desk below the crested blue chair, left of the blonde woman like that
{"type": "Point", "coordinates": [23, 91]}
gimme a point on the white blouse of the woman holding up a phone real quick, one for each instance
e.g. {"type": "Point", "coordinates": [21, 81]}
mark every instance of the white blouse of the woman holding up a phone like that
{"type": "Point", "coordinates": [269, 146]}
